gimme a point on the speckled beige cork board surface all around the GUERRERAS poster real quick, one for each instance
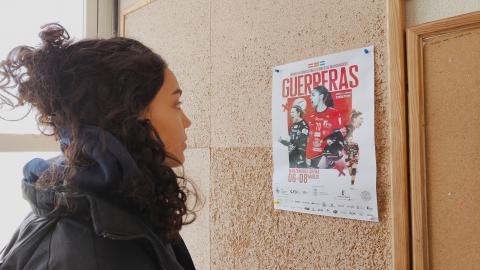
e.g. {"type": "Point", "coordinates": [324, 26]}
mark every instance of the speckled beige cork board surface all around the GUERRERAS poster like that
{"type": "Point", "coordinates": [222, 53]}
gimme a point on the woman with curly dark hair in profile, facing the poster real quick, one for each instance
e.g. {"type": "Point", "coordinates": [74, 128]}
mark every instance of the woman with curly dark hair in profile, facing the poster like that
{"type": "Point", "coordinates": [112, 199]}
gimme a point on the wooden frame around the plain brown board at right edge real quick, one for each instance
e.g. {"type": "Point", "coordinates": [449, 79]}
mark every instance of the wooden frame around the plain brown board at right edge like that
{"type": "Point", "coordinates": [416, 120]}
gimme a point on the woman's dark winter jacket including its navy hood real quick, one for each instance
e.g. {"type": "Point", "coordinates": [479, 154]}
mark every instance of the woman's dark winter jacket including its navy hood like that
{"type": "Point", "coordinates": [82, 231]}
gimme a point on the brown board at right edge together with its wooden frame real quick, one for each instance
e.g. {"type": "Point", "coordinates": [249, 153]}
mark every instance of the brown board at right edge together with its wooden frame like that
{"type": "Point", "coordinates": [444, 136]}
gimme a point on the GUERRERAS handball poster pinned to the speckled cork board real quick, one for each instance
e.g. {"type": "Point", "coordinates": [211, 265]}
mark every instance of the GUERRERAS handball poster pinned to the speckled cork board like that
{"type": "Point", "coordinates": [323, 136]}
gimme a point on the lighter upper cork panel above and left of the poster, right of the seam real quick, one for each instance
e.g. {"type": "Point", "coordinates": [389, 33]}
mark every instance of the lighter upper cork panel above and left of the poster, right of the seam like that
{"type": "Point", "coordinates": [250, 37]}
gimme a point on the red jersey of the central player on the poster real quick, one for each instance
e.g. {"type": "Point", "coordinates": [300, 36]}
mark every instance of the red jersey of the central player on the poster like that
{"type": "Point", "coordinates": [321, 125]}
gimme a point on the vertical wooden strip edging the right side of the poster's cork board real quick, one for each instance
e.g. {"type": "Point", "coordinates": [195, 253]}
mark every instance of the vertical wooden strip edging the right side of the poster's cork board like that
{"type": "Point", "coordinates": [398, 133]}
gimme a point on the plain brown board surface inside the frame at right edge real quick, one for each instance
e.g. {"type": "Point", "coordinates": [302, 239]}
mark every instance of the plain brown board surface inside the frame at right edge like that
{"type": "Point", "coordinates": [452, 116]}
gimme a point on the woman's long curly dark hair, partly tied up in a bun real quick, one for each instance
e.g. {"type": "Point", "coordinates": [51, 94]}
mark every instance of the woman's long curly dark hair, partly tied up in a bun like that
{"type": "Point", "coordinates": [105, 83]}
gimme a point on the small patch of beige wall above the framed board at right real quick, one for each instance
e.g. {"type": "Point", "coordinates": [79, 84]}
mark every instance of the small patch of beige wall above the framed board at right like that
{"type": "Point", "coordinates": [421, 11]}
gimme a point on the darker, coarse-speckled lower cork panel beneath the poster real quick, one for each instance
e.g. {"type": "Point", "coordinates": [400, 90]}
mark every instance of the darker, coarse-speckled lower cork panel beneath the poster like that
{"type": "Point", "coordinates": [248, 234]}
